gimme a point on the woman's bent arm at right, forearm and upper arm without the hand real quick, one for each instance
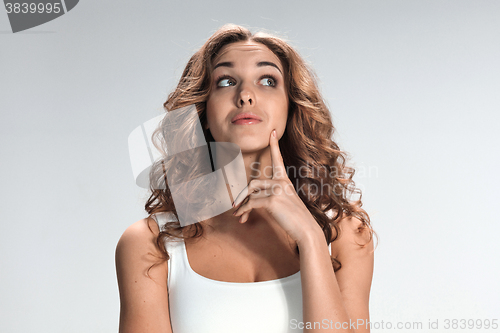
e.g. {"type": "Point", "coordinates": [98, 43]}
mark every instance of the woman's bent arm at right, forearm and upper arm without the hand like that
{"type": "Point", "coordinates": [341, 297]}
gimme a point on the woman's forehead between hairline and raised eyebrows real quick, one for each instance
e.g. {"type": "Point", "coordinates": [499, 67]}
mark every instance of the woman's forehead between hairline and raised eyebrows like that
{"type": "Point", "coordinates": [246, 51]}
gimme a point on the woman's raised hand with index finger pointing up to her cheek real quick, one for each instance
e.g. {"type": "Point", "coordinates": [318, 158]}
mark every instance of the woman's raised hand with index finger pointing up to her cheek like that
{"type": "Point", "coordinates": [278, 198]}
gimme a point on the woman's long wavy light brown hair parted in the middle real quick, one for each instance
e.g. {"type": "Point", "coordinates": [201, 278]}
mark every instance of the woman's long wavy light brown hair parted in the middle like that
{"type": "Point", "coordinates": [306, 145]}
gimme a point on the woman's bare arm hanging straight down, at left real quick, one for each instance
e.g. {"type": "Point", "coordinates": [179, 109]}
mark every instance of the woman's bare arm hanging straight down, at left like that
{"type": "Point", "coordinates": [143, 298]}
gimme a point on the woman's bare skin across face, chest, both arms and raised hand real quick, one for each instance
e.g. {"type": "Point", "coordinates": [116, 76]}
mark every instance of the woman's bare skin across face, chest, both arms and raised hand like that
{"type": "Point", "coordinates": [273, 217]}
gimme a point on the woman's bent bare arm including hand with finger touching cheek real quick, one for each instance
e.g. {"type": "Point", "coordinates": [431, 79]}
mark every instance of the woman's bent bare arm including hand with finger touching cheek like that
{"type": "Point", "coordinates": [328, 298]}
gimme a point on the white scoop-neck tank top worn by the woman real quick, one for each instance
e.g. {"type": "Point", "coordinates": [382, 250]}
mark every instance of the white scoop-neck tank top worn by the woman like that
{"type": "Point", "coordinates": [201, 305]}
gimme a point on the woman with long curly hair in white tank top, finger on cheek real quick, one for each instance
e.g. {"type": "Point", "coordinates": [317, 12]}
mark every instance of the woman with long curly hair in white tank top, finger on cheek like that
{"type": "Point", "coordinates": [272, 271]}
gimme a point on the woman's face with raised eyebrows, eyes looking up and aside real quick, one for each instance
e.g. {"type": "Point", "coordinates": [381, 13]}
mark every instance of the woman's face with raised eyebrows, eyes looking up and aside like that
{"type": "Point", "coordinates": [248, 81]}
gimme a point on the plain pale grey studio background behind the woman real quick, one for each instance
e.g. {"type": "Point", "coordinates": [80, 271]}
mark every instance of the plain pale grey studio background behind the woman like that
{"type": "Point", "coordinates": [413, 87]}
